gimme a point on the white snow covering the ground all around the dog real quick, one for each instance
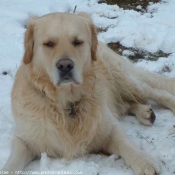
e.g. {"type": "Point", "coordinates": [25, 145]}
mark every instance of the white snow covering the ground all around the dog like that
{"type": "Point", "coordinates": [151, 31]}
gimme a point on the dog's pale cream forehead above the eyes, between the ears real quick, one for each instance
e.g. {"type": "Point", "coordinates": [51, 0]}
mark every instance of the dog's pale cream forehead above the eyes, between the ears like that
{"type": "Point", "coordinates": [58, 23]}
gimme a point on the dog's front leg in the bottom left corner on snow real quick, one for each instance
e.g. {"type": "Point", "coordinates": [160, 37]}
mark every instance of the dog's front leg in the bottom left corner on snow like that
{"type": "Point", "coordinates": [20, 156]}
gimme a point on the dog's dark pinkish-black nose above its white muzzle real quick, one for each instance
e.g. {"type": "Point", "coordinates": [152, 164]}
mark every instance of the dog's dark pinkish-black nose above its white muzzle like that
{"type": "Point", "coordinates": [65, 65]}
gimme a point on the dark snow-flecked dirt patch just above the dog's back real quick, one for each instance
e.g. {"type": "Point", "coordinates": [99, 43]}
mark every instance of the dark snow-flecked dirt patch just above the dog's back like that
{"type": "Point", "coordinates": [136, 54]}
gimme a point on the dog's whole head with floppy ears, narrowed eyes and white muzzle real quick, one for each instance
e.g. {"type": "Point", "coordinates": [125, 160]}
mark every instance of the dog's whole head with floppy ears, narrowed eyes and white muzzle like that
{"type": "Point", "coordinates": [63, 45]}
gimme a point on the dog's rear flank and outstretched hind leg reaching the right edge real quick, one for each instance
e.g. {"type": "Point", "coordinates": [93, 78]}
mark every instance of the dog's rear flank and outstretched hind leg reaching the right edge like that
{"type": "Point", "coordinates": [136, 83]}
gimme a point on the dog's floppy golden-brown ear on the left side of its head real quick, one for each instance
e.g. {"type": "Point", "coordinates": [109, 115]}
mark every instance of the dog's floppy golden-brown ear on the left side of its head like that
{"type": "Point", "coordinates": [29, 41]}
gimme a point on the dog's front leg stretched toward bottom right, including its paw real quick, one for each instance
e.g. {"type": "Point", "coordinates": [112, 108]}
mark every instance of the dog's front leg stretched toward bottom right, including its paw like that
{"type": "Point", "coordinates": [141, 163]}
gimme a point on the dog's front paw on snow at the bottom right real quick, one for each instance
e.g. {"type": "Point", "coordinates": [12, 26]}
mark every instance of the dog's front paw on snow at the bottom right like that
{"type": "Point", "coordinates": [145, 165]}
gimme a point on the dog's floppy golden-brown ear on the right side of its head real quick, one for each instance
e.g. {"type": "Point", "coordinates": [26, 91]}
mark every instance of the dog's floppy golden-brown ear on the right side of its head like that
{"type": "Point", "coordinates": [94, 39]}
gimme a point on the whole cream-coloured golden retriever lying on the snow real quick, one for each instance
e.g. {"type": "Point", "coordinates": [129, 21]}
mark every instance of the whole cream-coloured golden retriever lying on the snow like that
{"type": "Point", "coordinates": [70, 91]}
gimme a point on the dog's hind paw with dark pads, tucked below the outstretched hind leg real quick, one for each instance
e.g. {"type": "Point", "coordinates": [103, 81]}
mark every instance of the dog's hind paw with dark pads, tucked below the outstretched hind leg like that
{"type": "Point", "coordinates": [143, 113]}
